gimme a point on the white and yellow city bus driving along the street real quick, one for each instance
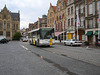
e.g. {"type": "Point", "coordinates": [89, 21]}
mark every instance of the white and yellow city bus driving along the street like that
{"type": "Point", "coordinates": [41, 37]}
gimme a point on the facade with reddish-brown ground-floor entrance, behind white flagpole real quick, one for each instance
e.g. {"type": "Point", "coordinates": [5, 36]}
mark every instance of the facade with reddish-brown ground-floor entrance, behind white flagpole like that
{"type": "Point", "coordinates": [80, 9]}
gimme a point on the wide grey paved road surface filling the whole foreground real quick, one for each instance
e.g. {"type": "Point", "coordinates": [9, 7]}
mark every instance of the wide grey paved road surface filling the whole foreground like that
{"type": "Point", "coordinates": [20, 58]}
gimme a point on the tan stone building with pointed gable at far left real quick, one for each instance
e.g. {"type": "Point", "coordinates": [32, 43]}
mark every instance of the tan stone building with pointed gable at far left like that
{"type": "Point", "coordinates": [9, 23]}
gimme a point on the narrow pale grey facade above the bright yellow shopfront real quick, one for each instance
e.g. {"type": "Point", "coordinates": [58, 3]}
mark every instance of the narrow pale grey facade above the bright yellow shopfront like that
{"type": "Point", "coordinates": [70, 19]}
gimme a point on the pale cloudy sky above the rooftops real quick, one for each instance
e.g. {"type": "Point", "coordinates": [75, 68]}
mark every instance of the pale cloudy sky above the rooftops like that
{"type": "Point", "coordinates": [30, 10]}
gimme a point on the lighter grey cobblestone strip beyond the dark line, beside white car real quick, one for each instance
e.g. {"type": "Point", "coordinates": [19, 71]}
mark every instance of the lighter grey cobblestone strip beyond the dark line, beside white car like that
{"type": "Point", "coordinates": [86, 54]}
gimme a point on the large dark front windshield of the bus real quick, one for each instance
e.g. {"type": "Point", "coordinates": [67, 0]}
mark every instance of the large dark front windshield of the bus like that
{"type": "Point", "coordinates": [46, 33]}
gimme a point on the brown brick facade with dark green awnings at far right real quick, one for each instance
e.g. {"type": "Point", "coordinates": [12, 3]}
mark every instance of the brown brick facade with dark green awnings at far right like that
{"type": "Point", "coordinates": [92, 21]}
